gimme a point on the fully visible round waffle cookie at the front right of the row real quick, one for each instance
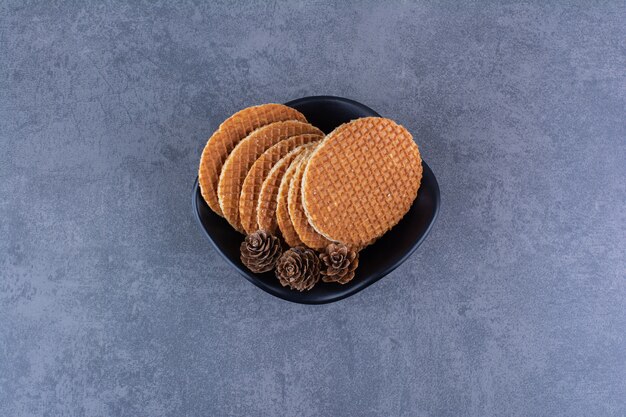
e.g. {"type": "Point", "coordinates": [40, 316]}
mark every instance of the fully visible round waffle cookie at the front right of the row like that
{"type": "Point", "coordinates": [361, 180]}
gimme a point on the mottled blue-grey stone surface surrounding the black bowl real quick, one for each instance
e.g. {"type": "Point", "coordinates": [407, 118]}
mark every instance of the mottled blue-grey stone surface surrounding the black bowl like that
{"type": "Point", "coordinates": [112, 303]}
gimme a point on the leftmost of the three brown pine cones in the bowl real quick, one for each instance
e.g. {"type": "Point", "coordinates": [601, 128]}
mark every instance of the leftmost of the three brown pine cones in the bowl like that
{"type": "Point", "coordinates": [260, 251]}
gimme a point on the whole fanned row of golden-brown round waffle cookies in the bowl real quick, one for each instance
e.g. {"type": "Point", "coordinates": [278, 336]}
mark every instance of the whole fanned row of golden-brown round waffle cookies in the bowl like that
{"type": "Point", "coordinates": [266, 168]}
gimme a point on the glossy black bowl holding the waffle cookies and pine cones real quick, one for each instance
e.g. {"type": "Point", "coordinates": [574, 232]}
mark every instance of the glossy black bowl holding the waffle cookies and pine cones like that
{"type": "Point", "coordinates": [376, 261]}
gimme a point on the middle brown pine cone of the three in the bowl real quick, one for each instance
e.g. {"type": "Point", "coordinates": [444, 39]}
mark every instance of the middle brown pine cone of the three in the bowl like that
{"type": "Point", "coordinates": [298, 268]}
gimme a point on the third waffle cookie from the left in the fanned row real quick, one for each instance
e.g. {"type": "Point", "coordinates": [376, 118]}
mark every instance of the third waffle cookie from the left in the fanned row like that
{"type": "Point", "coordinates": [258, 173]}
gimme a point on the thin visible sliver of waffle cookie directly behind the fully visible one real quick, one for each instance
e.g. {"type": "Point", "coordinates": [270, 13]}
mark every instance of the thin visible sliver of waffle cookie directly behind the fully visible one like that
{"type": "Point", "coordinates": [305, 231]}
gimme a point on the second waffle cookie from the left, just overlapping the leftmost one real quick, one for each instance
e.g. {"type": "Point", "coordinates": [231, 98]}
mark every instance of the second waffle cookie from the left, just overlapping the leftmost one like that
{"type": "Point", "coordinates": [247, 151]}
